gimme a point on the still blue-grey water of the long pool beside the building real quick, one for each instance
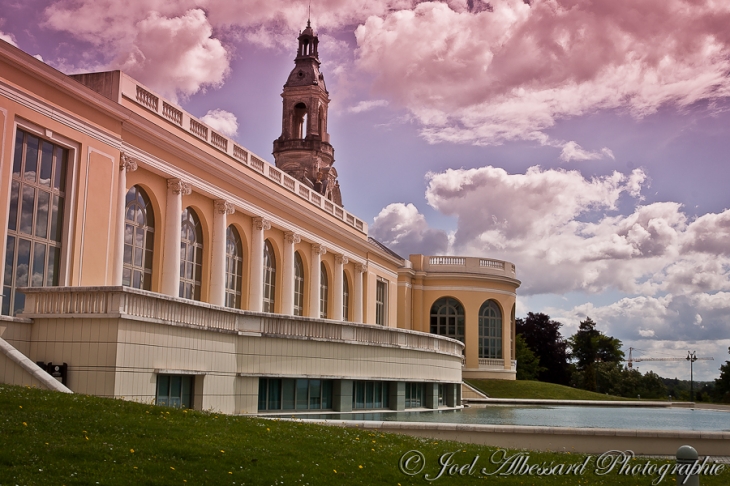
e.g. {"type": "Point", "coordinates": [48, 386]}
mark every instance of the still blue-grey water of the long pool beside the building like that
{"type": "Point", "coordinates": [561, 416]}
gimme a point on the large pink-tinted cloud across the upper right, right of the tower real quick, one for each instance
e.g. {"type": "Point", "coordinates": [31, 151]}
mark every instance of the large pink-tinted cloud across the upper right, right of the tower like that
{"type": "Point", "coordinates": [487, 77]}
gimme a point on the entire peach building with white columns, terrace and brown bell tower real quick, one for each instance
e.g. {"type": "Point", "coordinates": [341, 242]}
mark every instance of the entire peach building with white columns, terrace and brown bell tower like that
{"type": "Point", "coordinates": [164, 262]}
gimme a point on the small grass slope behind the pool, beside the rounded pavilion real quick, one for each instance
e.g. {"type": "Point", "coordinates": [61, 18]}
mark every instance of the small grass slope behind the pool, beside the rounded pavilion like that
{"type": "Point", "coordinates": [535, 390]}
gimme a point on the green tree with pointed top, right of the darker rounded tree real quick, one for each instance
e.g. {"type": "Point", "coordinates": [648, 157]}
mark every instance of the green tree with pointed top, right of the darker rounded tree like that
{"type": "Point", "coordinates": [589, 346]}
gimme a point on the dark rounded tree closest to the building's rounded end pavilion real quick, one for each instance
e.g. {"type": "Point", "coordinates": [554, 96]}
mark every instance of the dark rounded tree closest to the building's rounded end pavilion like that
{"type": "Point", "coordinates": [543, 337]}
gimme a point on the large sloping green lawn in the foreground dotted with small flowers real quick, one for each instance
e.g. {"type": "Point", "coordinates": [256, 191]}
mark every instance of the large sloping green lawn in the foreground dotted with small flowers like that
{"type": "Point", "coordinates": [49, 438]}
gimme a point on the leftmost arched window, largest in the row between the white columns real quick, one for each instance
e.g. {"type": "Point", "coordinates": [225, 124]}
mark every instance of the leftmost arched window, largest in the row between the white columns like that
{"type": "Point", "coordinates": [139, 240]}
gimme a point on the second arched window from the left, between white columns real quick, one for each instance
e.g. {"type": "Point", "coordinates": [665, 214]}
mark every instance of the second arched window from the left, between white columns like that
{"type": "Point", "coordinates": [191, 255]}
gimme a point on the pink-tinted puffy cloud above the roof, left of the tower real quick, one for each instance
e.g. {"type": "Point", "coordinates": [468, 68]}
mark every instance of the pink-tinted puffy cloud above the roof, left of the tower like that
{"type": "Point", "coordinates": [164, 44]}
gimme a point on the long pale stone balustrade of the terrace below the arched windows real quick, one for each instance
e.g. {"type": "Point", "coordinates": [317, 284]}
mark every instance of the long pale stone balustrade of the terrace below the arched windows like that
{"type": "Point", "coordinates": [128, 303]}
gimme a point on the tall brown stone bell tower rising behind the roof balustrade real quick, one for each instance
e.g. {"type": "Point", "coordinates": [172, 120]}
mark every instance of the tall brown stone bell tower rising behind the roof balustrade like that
{"type": "Point", "coordinates": [303, 150]}
